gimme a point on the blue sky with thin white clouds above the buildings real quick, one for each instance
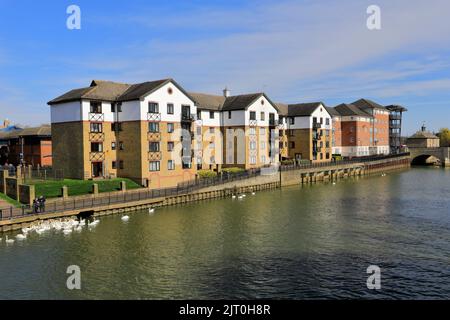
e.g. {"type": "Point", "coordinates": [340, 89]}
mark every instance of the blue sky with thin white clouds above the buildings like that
{"type": "Point", "coordinates": [295, 51]}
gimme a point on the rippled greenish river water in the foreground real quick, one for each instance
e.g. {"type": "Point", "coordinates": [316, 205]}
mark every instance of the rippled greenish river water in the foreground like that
{"type": "Point", "coordinates": [310, 242]}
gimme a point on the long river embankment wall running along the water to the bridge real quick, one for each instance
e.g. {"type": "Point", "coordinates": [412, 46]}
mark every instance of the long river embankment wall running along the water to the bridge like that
{"type": "Point", "coordinates": [269, 180]}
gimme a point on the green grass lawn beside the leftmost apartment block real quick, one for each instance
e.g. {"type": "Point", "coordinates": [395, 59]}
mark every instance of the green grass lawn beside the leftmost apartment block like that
{"type": "Point", "coordinates": [52, 189]}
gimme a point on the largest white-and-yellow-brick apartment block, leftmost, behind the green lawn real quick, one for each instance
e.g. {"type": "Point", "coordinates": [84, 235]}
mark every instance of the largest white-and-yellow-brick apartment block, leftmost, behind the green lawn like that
{"type": "Point", "coordinates": [114, 129]}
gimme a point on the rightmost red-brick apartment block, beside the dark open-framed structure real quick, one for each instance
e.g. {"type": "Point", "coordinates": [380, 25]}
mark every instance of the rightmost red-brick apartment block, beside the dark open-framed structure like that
{"type": "Point", "coordinates": [379, 131]}
